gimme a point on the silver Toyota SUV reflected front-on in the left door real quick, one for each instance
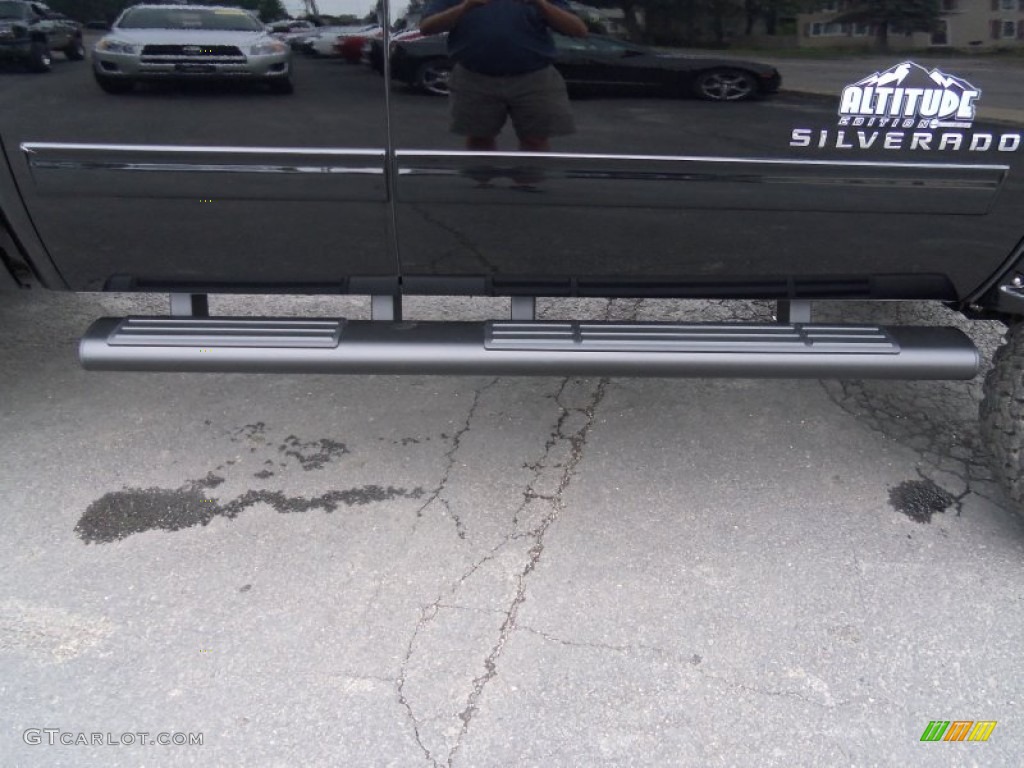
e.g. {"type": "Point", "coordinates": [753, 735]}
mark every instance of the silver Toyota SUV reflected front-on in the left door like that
{"type": "Point", "coordinates": [190, 42]}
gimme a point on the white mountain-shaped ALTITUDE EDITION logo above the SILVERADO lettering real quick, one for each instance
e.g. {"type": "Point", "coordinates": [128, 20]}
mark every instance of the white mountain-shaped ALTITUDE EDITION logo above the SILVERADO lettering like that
{"type": "Point", "coordinates": [911, 93]}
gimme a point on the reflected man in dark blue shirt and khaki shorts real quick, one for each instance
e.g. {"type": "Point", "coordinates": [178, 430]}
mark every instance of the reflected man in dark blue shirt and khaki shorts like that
{"type": "Point", "coordinates": [503, 53]}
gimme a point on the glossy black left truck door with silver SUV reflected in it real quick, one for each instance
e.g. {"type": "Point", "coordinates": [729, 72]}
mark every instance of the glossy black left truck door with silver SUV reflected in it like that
{"type": "Point", "coordinates": [179, 158]}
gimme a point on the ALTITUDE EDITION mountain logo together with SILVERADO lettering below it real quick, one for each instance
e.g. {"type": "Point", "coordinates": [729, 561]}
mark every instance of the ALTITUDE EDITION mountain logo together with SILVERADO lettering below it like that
{"type": "Point", "coordinates": [908, 107]}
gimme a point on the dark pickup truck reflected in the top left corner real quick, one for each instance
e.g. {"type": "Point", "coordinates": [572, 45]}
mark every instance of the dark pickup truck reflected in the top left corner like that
{"type": "Point", "coordinates": [30, 32]}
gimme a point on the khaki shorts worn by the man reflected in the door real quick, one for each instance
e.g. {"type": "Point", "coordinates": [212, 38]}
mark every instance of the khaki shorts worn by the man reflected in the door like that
{"type": "Point", "coordinates": [537, 103]}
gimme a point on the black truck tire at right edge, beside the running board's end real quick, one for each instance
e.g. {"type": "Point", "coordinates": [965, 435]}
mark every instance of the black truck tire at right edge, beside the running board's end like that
{"type": "Point", "coordinates": [1003, 413]}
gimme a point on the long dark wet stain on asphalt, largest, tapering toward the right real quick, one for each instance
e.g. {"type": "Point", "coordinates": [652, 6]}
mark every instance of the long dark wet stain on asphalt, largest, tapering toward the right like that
{"type": "Point", "coordinates": [121, 514]}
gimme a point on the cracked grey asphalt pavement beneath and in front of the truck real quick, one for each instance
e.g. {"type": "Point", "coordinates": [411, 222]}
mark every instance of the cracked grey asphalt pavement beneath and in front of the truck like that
{"type": "Point", "coordinates": [475, 572]}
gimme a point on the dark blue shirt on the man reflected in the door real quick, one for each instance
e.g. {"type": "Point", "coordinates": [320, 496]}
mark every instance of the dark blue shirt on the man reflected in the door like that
{"type": "Point", "coordinates": [501, 37]}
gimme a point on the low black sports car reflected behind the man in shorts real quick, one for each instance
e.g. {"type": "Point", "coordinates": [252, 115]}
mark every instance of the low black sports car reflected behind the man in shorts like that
{"type": "Point", "coordinates": [598, 65]}
